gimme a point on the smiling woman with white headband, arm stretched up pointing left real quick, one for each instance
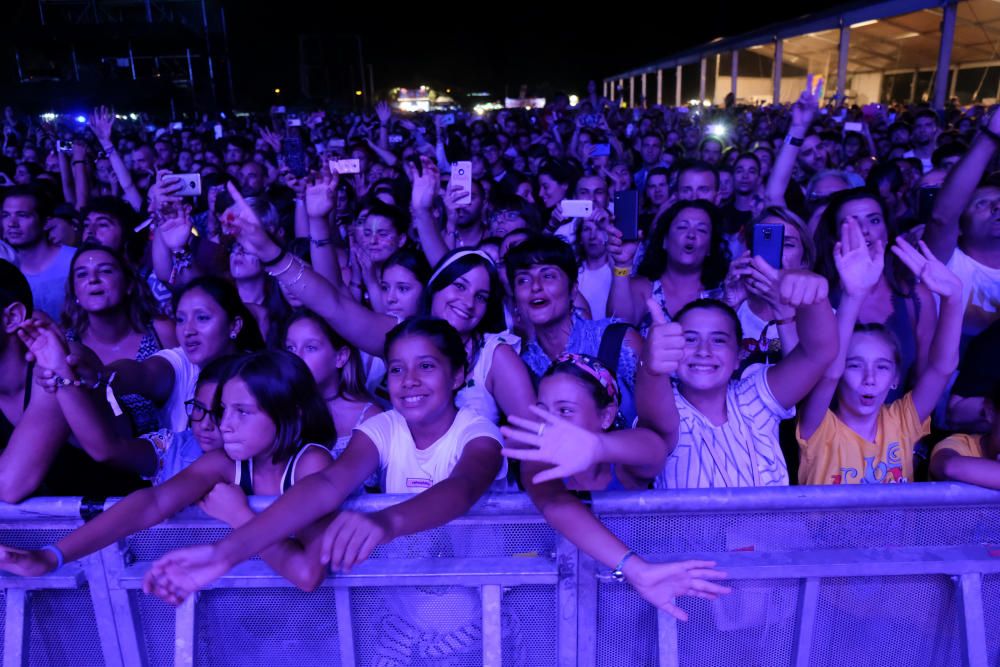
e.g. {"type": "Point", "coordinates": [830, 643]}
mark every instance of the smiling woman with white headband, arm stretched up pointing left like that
{"type": "Point", "coordinates": [464, 290]}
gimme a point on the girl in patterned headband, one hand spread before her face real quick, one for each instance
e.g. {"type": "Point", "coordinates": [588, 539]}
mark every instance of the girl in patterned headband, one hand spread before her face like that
{"type": "Point", "coordinates": [567, 448]}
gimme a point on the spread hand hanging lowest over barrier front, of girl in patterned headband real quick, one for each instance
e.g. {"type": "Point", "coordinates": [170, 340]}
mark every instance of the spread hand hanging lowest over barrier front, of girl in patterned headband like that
{"type": "Point", "coordinates": [660, 583]}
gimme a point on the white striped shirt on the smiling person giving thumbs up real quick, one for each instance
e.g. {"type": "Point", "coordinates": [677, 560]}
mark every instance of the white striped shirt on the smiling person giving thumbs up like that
{"type": "Point", "coordinates": [744, 451]}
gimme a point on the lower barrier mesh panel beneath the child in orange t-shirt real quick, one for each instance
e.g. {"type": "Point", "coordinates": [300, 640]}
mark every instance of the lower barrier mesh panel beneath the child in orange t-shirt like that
{"type": "Point", "coordinates": [887, 621]}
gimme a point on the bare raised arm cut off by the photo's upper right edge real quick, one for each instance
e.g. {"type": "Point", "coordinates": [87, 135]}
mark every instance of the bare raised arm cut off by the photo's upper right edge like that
{"type": "Point", "coordinates": [942, 230]}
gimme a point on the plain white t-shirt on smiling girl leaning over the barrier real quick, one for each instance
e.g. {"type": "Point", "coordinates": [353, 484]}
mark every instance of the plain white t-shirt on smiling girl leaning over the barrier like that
{"type": "Point", "coordinates": [407, 469]}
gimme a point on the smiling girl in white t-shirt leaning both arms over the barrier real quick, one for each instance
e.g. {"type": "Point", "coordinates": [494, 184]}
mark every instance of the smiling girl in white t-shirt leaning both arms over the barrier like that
{"type": "Point", "coordinates": [445, 456]}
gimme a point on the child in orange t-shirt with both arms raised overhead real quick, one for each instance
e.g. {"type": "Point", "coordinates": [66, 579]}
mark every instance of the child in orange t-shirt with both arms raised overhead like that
{"type": "Point", "coordinates": [864, 441]}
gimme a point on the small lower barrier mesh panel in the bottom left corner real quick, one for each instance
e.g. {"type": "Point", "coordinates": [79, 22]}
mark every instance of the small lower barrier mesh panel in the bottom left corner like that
{"type": "Point", "coordinates": [61, 630]}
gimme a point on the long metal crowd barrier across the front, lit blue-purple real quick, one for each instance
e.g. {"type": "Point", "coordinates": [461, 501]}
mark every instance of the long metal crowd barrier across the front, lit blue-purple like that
{"type": "Point", "coordinates": [822, 576]}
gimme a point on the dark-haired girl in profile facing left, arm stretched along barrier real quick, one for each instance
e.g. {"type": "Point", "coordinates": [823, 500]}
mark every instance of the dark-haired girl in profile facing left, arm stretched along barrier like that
{"type": "Point", "coordinates": [270, 417]}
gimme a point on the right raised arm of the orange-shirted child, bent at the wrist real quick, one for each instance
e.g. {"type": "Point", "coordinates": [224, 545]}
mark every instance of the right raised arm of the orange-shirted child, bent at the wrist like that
{"type": "Point", "coordinates": [943, 358]}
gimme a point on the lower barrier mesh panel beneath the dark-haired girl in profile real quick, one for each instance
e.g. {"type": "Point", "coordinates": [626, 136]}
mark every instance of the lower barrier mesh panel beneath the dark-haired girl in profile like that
{"type": "Point", "coordinates": [245, 627]}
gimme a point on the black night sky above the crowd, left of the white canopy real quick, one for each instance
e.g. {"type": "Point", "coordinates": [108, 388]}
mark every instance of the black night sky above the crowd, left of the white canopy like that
{"type": "Point", "coordinates": [466, 48]}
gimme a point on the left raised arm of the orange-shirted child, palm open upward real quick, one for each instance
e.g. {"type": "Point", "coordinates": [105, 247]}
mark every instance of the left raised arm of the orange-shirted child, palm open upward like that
{"type": "Point", "coordinates": [859, 272]}
